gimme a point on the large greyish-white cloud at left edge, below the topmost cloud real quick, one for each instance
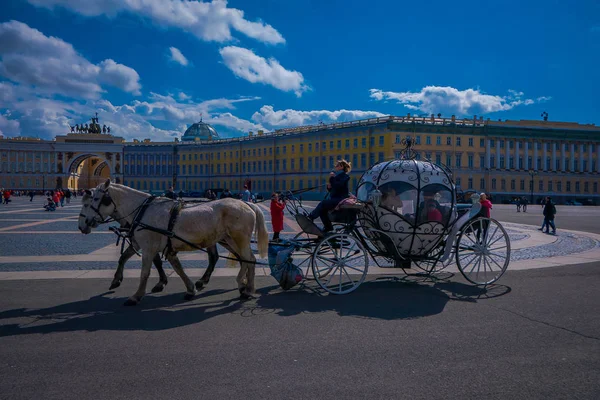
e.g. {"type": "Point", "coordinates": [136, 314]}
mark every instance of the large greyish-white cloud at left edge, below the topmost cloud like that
{"type": "Point", "coordinates": [51, 65]}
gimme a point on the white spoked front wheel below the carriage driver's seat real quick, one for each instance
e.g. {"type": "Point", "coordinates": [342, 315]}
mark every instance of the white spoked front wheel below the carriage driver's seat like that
{"type": "Point", "coordinates": [339, 263]}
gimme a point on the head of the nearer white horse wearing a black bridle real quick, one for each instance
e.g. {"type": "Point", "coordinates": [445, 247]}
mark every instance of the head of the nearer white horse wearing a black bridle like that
{"type": "Point", "coordinates": [96, 207]}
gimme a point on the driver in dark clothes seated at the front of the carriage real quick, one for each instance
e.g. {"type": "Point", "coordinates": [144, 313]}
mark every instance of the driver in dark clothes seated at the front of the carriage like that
{"type": "Point", "coordinates": [338, 191]}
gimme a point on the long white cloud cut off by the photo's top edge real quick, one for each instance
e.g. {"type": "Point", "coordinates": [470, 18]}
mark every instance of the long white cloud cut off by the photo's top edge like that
{"type": "Point", "coordinates": [208, 21]}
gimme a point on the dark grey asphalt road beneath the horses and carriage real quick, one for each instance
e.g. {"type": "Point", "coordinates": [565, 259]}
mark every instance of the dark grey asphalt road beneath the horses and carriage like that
{"type": "Point", "coordinates": [535, 336]}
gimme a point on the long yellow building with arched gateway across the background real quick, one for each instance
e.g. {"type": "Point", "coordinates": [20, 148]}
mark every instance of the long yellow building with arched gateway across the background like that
{"type": "Point", "coordinates": [505, 158]}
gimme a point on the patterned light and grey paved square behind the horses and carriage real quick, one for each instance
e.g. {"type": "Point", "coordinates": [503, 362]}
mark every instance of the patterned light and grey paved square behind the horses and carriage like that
{"type": "Point", "coordinates": [32, 239]}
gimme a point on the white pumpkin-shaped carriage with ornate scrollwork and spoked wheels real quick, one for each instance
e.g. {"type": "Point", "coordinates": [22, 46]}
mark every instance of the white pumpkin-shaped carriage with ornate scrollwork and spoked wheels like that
{"type": "Point", "coordinates": [405, 215]}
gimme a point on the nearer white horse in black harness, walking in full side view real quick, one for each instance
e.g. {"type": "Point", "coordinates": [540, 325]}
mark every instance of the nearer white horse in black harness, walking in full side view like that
{"type": "Point", "coordinates": [229, 222]}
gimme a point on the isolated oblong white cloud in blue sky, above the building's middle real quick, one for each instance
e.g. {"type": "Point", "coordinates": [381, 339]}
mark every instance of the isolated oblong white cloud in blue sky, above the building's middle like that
{"type": "Point", "coordinates": [253, 68]}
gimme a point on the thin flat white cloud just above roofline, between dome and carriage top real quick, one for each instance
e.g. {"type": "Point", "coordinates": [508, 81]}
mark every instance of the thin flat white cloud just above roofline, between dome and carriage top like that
{"type": "Point", "coordinates": [289, 118]}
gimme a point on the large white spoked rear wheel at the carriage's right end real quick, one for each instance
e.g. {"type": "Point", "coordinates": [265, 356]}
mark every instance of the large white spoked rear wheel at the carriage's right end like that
{"type": "Point", "coordinates": [483, 251]}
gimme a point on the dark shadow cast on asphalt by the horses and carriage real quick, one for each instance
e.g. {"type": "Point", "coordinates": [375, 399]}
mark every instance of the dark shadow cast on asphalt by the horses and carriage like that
{"type": "Point", "coordinates": [405, 298]}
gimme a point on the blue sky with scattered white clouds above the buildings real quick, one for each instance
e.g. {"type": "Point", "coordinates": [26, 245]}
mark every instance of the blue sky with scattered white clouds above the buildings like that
{"type": "Point", "coordinates": [151, 68]}
